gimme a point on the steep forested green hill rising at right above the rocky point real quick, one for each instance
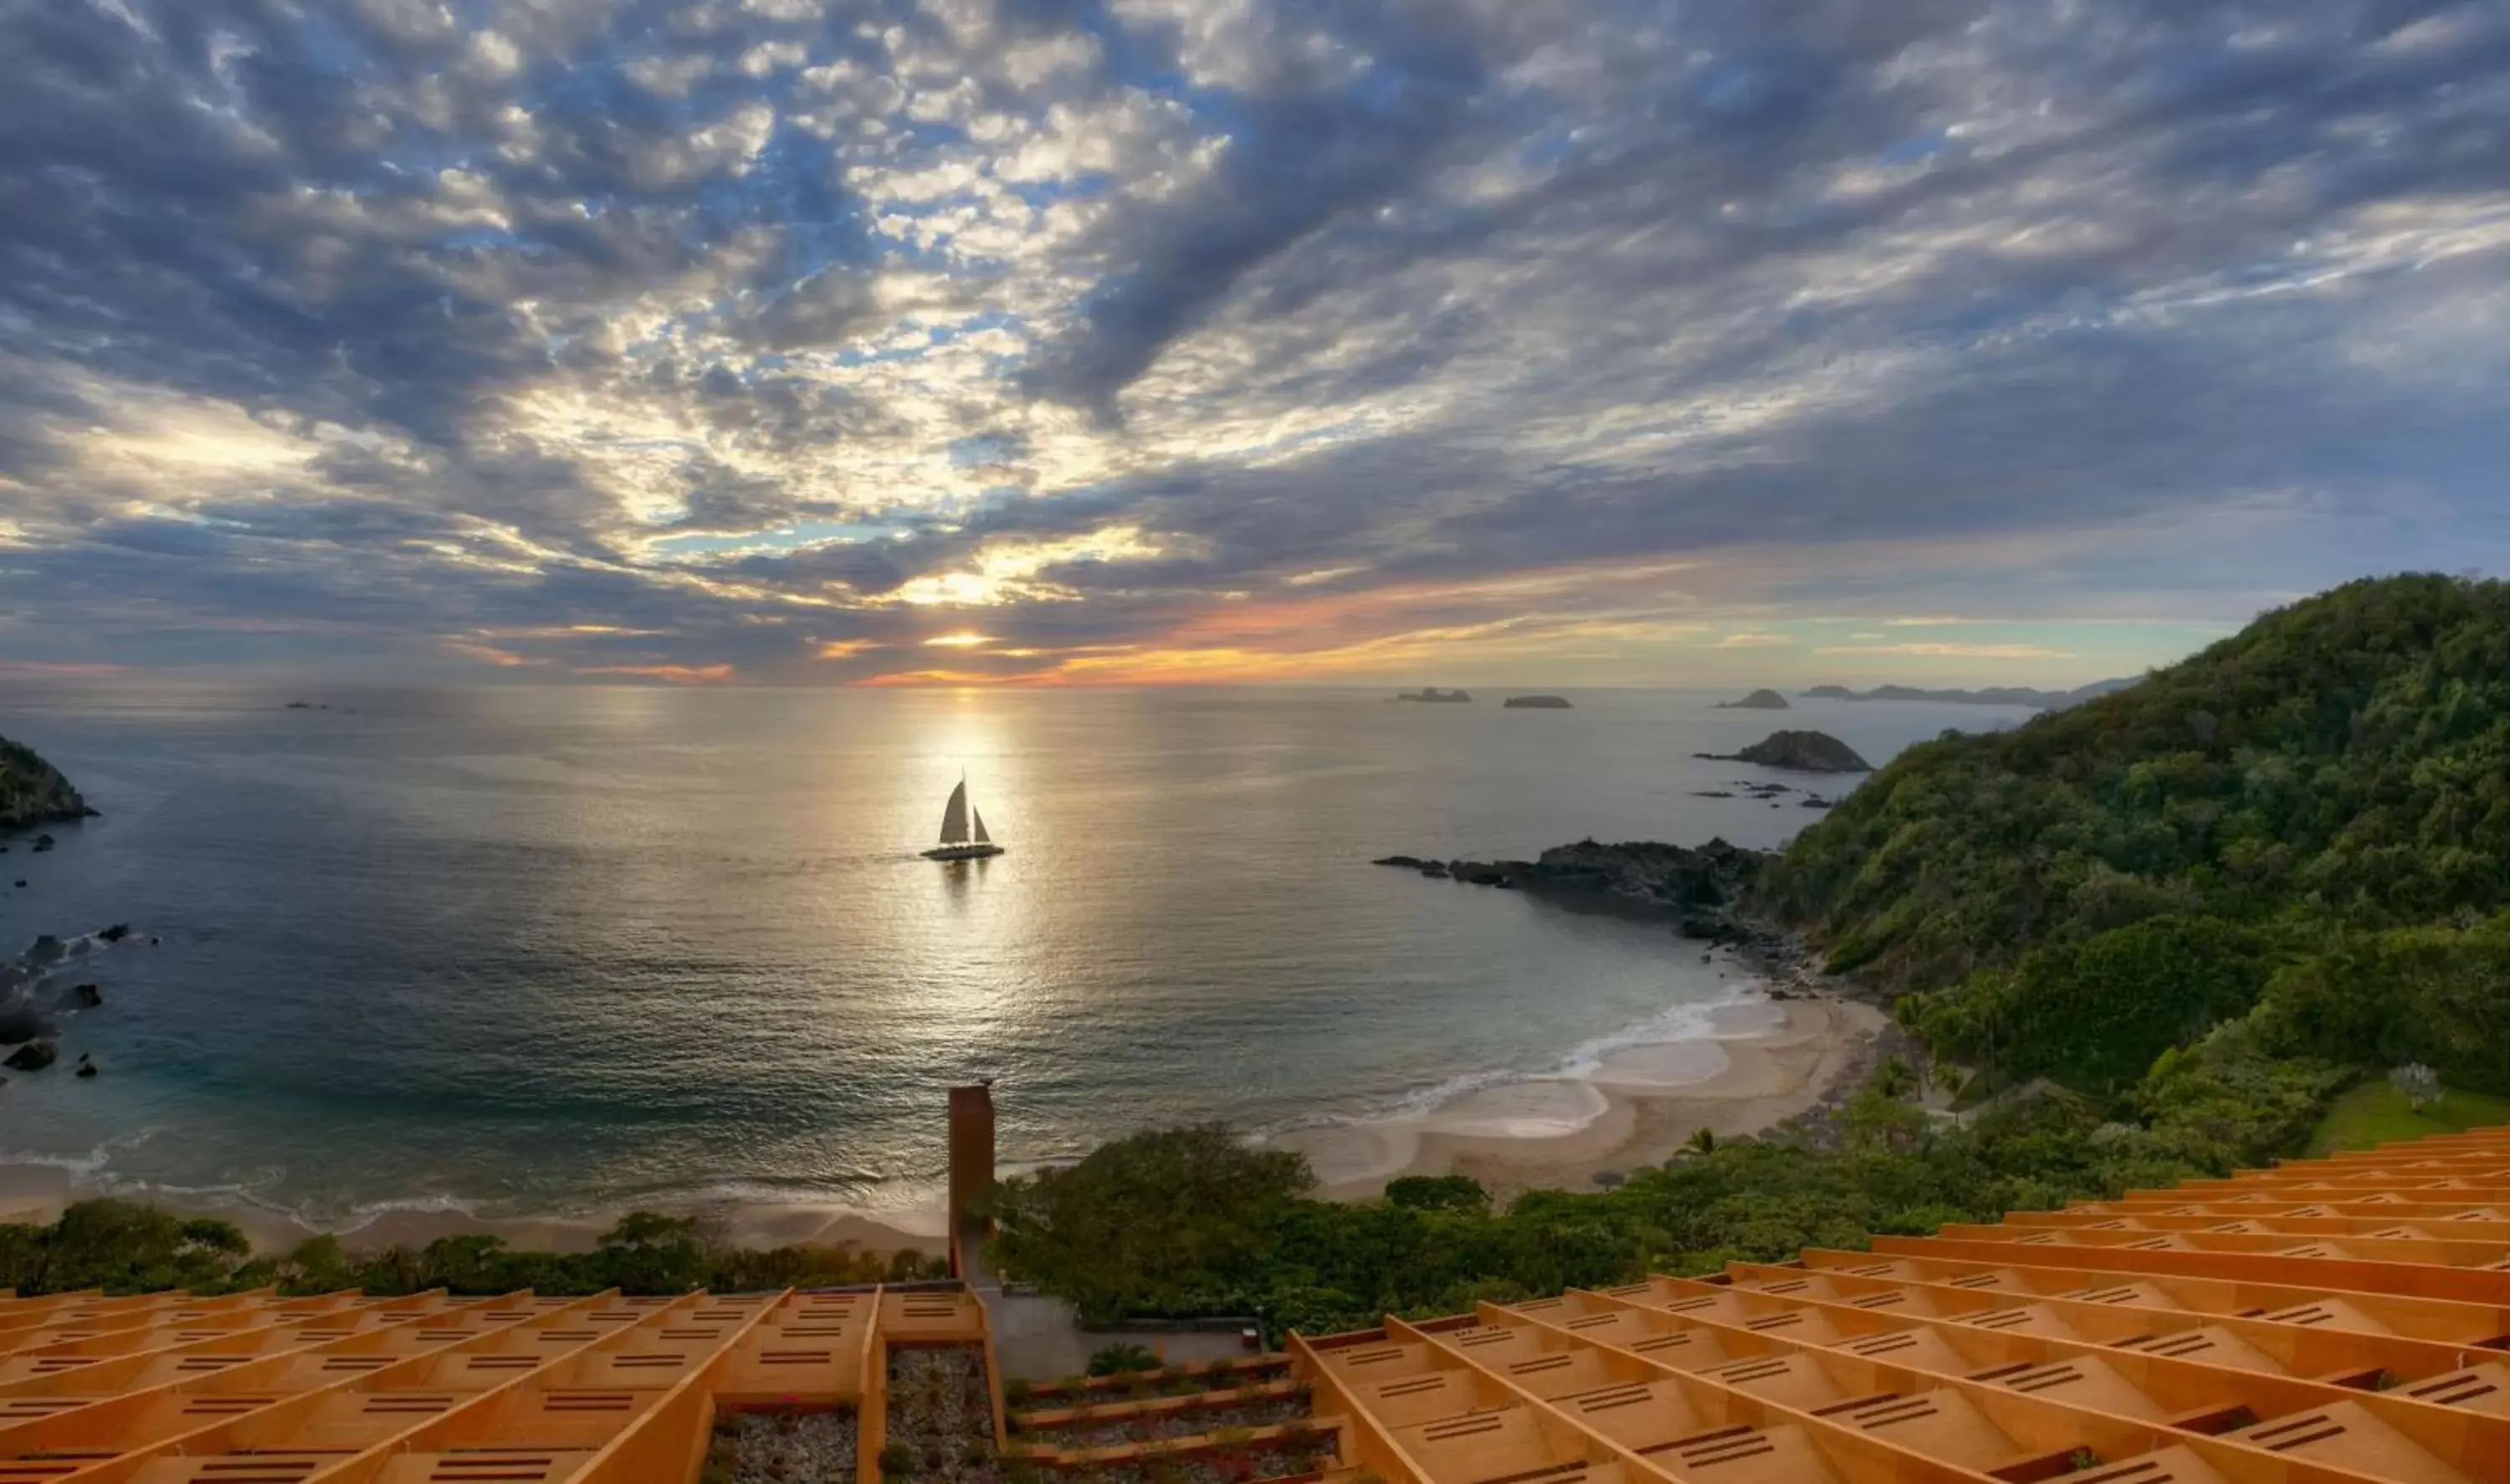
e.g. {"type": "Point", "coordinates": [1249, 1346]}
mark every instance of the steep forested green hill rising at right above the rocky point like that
{"type": "Point", "coordinates": [2305, 825]}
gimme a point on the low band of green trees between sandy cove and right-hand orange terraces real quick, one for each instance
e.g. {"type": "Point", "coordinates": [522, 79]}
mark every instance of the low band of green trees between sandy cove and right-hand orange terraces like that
{"type": "Point", "coordinates": [1194, 1222]}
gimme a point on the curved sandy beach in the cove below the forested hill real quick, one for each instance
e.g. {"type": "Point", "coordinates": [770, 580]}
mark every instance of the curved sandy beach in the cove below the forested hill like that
{"type": "Point", "coordinates": [1758, 1066]}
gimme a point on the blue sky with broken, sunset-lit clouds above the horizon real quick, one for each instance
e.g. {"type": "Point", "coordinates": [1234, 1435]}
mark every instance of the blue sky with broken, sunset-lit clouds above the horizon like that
{"type": "Point", "coordinates": [1060, 343]}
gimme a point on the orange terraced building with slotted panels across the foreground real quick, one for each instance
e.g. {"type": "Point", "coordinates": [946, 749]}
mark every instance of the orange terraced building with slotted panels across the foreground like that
{"type": "Point", "coordinates": [2328, 1322]}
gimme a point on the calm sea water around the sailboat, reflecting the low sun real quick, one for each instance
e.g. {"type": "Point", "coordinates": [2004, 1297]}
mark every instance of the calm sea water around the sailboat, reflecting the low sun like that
{"type": "Point", "coordinates": [536, 950]}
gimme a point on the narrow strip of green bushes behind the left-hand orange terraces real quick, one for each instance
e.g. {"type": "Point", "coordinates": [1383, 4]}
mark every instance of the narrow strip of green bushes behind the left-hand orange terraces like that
{"type": "Point", "coordinates": [134, 1249]}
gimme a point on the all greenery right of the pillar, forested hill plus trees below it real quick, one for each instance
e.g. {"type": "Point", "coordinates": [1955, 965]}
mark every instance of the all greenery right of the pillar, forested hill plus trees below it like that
{"type": "Point", "coordinates": [2198, 910]}
